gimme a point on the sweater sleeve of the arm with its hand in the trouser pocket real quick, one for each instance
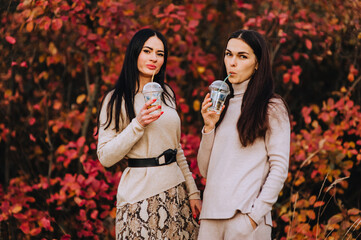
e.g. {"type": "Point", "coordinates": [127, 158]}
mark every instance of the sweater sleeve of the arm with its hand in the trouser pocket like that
{"type": "Point", "coordinates": [277, 142]}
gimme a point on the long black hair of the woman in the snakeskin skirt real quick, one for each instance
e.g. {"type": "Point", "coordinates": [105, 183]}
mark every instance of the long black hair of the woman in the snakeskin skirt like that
{"type": "Point", "coordinates": [127, 85]}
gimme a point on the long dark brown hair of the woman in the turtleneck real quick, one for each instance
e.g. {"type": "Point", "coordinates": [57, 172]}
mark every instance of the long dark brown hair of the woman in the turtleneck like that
{"type": "Point", "coordinates": [253, 121]}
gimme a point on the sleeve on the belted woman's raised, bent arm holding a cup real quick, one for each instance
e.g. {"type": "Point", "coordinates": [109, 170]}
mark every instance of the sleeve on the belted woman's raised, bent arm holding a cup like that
{"type": "Point", "coordinates": [113, 146]}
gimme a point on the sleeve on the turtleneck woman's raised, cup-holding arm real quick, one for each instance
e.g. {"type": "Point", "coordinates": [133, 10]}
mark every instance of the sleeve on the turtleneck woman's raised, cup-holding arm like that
{"type": "Point", "coordinates": [204, 152]}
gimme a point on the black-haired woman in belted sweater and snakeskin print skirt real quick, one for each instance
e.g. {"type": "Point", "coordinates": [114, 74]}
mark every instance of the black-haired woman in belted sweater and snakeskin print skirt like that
{"type": "Point", "coordinates": [153, 201]}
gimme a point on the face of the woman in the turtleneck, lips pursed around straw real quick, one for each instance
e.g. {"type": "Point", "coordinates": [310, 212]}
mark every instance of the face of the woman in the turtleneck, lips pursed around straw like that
{"type": "Point", "coordinates": [240, 61]}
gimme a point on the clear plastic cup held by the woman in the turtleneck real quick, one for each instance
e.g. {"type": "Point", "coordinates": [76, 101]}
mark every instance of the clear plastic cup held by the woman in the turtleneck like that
{"type": "Point", "coordinates": [219, 92]}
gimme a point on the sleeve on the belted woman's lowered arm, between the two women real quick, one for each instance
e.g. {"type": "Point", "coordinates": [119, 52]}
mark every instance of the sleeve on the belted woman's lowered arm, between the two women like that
{"type": "Point", "coordinates": [192, 189]}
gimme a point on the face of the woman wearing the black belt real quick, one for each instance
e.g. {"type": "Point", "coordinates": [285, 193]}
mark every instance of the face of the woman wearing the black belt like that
{"type": "Point", "coordinates": [151, 57]}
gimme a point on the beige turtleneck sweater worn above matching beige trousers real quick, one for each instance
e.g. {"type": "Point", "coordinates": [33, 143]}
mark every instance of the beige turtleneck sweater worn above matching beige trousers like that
{"type": "Point", "coordinates": [246, 179]}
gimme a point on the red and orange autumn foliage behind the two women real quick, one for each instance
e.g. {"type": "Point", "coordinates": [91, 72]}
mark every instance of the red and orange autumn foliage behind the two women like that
{"type": "Point", "coordinates": [59, 57]}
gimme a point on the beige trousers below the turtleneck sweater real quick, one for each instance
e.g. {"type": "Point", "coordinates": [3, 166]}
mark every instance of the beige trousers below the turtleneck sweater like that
{"type": "Point", "coordinates": [236, 228]}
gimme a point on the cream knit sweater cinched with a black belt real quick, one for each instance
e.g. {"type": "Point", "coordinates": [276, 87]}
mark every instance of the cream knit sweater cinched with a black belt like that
{"type": "Point", "coordinates": [135, 141]}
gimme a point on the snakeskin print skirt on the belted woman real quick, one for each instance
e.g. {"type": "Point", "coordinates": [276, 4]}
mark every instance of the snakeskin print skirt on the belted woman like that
{"type": "Point", "coordinates": [164, 216]}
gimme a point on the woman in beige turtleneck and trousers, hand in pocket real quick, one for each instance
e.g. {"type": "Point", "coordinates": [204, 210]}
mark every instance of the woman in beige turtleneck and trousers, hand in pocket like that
{"type": "Point", "coordinates": [244, 152]}
